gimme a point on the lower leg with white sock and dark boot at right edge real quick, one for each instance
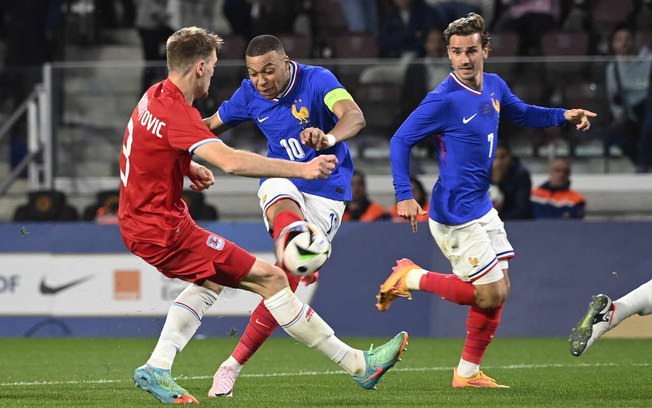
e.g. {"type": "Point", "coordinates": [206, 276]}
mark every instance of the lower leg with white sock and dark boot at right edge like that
{"type": "Point", "coordinates": [605, 314]}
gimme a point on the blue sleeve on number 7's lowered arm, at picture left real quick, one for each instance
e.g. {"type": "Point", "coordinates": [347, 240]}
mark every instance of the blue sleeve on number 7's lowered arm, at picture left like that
{"type": "Point", "coordinates": [426, 120]}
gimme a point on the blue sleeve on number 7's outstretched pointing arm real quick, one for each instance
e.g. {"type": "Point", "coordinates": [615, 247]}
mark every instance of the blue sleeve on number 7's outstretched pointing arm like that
{"type": "Point", "coordinates": [527, 115]}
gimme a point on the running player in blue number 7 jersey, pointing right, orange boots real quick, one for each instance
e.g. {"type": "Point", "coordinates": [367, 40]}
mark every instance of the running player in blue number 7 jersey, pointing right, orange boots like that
{"type": "Point", "coordinates": [462, 114]}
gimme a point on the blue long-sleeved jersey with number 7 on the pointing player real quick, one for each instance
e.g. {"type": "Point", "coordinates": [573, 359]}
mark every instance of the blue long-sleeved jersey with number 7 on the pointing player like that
{"type": "Point", "coordinates": [464, 122]}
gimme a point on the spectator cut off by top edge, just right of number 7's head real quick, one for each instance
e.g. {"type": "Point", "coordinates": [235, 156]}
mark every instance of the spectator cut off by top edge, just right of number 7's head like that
{"type": "Point", "coordinates": [530, 19]}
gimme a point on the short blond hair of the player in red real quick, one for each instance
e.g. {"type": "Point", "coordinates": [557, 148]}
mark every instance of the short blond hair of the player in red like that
{"type": "Point", "coordinates": [188, 45]}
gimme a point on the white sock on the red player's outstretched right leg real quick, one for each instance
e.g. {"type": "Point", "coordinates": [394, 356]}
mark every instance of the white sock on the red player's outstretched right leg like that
{"type": "Point", "coordinates": [301, 322]}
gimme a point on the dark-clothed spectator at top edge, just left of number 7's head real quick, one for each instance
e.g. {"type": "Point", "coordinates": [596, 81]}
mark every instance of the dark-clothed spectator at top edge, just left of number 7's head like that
{"type": "Point", "coordinates": [403, 30]}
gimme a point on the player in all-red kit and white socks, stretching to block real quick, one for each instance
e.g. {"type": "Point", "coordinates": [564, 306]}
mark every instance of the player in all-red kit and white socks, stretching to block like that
{"type": "Point", "coordinates": [162, 135]}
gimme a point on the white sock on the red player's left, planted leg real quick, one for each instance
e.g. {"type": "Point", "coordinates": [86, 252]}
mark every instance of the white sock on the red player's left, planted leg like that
{"type": "Point", "coordinates": [183, 320]}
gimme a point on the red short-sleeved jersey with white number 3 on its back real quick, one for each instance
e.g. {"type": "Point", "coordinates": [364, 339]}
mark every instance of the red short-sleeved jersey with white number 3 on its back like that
{"type": "Point", "coordinates": [161, 135]}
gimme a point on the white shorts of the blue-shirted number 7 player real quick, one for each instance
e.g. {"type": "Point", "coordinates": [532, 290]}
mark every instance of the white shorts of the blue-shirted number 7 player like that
{"type": "Point", "coordinates": [475, 248]}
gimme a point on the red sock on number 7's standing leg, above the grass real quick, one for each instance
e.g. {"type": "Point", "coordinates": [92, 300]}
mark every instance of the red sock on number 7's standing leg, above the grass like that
{"type": "Point", "coordinates": [481, 327]}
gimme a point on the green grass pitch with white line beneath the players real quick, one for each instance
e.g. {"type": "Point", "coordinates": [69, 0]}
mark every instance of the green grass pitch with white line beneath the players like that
{"type": "Point", "coordinates": [541, 372]}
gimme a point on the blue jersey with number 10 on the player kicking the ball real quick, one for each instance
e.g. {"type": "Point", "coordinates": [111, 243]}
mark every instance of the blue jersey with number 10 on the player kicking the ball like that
{"type": "Point", "coordinates": [281, 120]}
